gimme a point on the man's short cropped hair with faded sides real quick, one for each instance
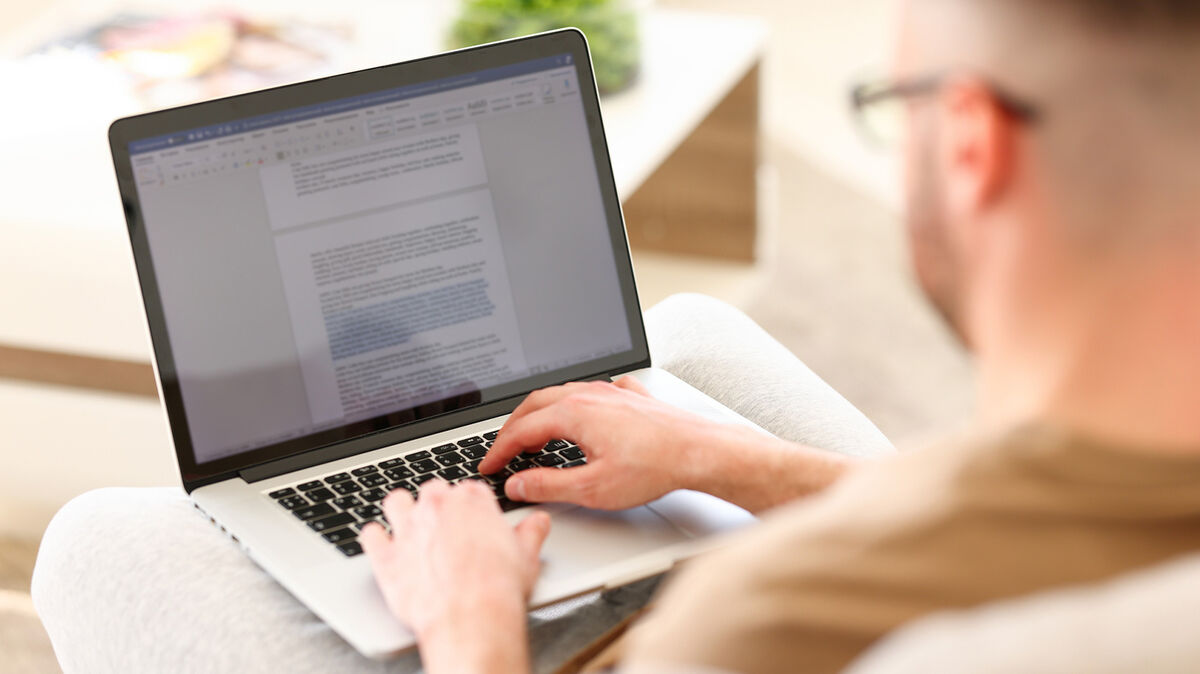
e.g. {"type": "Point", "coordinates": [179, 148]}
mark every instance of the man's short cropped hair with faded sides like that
{"type": "Point", "coordinates": [1118, 83]}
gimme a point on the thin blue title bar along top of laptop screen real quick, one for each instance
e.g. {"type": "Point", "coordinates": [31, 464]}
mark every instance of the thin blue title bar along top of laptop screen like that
{"type": "Point", "coordinates": [346, 105]}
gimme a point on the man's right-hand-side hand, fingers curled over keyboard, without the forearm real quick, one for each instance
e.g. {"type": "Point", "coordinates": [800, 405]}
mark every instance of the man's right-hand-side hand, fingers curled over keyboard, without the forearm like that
{"type": "Point", "coordinates": [639, 449]}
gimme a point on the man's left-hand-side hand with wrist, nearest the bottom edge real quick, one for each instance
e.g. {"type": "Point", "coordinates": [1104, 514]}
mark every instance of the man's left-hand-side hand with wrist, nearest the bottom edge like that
{"type": "Point", "coordinates": [458, 575]}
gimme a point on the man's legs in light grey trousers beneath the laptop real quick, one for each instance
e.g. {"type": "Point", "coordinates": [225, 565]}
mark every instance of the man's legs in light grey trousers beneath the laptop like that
{"type": "Point", "coordinates": [136, 580]}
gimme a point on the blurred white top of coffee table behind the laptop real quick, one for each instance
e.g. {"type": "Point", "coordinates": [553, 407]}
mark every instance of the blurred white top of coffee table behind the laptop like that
{"type": "Point", "coordinates": [67, 275]}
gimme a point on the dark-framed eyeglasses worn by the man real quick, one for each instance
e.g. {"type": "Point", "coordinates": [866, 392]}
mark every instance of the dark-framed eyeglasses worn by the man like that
{"type": "Point", "coordinates": [881, 109]}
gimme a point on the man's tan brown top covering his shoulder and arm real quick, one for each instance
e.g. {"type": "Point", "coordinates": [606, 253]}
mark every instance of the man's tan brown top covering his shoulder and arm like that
{"type": "Point", "coordinates": [952, 527]}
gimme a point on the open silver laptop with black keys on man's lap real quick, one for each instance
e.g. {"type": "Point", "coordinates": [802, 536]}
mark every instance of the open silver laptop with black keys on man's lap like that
{"type": "Point", "coordinates": [351, 282]}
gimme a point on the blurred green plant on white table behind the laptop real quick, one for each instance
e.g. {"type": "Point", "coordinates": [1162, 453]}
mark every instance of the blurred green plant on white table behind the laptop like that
{"type": "Point", "coordinates": [611, 28]}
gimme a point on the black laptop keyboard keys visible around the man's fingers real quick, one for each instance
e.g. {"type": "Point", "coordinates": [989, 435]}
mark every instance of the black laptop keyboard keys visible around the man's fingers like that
{"type": "Point", "coordinates": [339, 505]}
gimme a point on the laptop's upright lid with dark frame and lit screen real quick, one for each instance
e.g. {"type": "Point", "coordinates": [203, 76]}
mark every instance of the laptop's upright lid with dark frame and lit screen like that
{"type": "Point", "coordinates": [358, 261]}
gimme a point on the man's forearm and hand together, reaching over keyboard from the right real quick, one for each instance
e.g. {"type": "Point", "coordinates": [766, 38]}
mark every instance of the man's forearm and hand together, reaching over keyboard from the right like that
{"type": "Point", "coordinates": [640, 449]}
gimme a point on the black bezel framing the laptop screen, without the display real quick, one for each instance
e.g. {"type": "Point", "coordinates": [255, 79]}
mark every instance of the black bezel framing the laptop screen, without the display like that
{"type": "Point", "coordinates": [271, 460]}
